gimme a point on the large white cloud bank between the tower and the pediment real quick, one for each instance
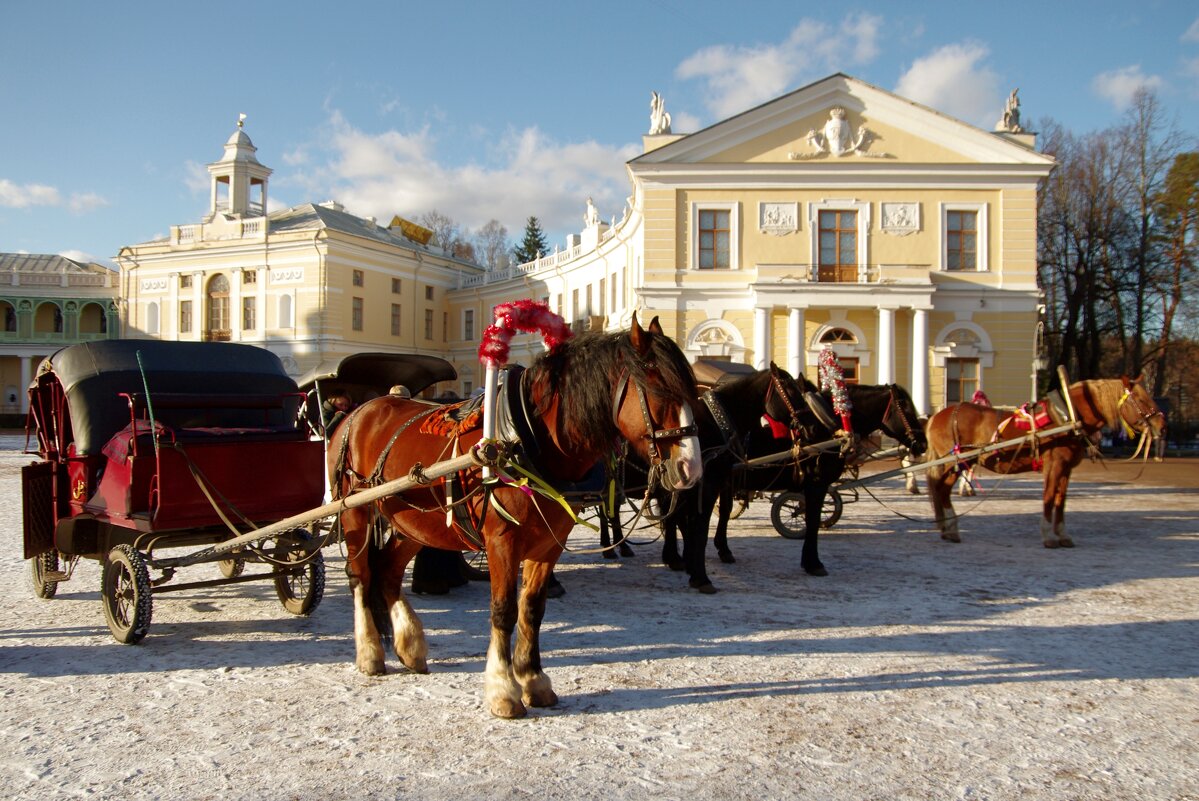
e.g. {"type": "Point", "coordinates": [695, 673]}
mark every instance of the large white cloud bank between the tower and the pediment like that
{"type": "Point", "coordinates": [399, 173]}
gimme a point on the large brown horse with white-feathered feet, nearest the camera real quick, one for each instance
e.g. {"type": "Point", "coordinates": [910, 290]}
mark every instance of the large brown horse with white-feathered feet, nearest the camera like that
{"type": "Point", "coordinates": [576, 400]}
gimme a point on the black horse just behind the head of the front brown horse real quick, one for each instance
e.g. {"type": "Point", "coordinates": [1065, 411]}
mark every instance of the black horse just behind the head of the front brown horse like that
{"type": "Point", "coordinates": [731, 427]}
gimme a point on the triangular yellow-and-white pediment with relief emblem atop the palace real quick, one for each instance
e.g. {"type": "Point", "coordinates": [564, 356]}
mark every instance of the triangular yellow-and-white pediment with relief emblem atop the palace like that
{"type": "Point", "coordinates": [843, 121]}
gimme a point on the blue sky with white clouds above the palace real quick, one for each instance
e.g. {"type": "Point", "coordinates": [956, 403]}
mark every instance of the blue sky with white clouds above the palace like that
{"type": "Point", "coordinates": [111, 111]}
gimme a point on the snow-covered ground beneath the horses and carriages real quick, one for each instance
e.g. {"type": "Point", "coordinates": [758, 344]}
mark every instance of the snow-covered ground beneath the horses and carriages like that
{"type": "Point", "coordinates": [918, 670]}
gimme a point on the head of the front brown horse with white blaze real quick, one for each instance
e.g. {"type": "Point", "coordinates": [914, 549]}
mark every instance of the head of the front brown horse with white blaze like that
{"type": "Point", "coordinates": [658, 418]}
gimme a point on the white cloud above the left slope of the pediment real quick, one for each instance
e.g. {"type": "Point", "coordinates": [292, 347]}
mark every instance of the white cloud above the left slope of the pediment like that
{"type": "Point", "coordinates": [742, 77]}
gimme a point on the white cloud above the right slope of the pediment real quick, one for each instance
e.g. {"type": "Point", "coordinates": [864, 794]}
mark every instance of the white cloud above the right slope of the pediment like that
{"type": "Point", "coordinates": [955, 80]}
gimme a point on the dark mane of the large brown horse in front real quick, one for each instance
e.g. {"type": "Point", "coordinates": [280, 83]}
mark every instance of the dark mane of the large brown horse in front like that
{"type": "Point", "coordinates": [585, 370]}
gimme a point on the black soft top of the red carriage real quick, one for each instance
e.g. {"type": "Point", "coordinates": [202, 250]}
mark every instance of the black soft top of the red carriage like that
{"type": "Point", "coordinates": [191, 386]}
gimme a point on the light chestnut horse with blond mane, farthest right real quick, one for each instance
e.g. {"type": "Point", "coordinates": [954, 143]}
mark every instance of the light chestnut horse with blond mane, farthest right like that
{"type": "Point", "coordinates": [1099, 405]}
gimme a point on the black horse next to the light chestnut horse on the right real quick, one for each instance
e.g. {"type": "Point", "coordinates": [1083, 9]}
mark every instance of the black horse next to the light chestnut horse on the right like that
{"type": "Point", "coordinates": [887, 407]}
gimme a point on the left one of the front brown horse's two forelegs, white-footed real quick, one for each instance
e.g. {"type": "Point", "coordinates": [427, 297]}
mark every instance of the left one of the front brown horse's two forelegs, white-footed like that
{"type": "Point", "coordinates": [501, 689]}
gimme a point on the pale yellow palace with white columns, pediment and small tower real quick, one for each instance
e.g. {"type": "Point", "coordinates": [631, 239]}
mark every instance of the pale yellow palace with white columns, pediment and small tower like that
{"type": "Point", "coordinates": [836, 216]}
